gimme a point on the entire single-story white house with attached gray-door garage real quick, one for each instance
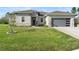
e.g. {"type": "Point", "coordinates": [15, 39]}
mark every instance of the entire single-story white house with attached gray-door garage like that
{"type": "Point", "coordinates": [36, 18]}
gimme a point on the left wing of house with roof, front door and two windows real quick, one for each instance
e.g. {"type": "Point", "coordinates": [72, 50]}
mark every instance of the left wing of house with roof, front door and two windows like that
{"type": "Point", "coordinates": [28, 18]}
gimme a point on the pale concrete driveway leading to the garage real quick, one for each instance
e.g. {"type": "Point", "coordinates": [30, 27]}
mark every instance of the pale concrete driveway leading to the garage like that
{"type": "Point", "coordinates": [72, 31]}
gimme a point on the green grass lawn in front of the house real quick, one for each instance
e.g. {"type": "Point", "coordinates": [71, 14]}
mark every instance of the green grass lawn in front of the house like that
{"type": "Point", "coordinates": [35, 39]}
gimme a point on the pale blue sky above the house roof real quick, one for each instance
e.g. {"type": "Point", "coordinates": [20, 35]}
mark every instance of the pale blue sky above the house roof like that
{"type": "Point", "coordinates": [4, 10]}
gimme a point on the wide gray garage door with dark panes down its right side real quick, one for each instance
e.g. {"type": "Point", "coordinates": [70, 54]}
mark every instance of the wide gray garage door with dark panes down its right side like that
{"type": "Point", "coordinates": [60, 22]}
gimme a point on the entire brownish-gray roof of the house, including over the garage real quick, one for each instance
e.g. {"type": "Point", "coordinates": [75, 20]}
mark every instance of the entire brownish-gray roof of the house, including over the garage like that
{"type": "Point", "coordinates": [44, 13]}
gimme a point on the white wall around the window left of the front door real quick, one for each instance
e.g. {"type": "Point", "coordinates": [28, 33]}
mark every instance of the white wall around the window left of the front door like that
{"type": "Point", "coordinates": [27, 20]}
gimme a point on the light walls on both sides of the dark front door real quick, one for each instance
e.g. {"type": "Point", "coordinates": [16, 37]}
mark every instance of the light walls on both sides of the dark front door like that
{"type": "Point", "coordinates": [28, 19]}
